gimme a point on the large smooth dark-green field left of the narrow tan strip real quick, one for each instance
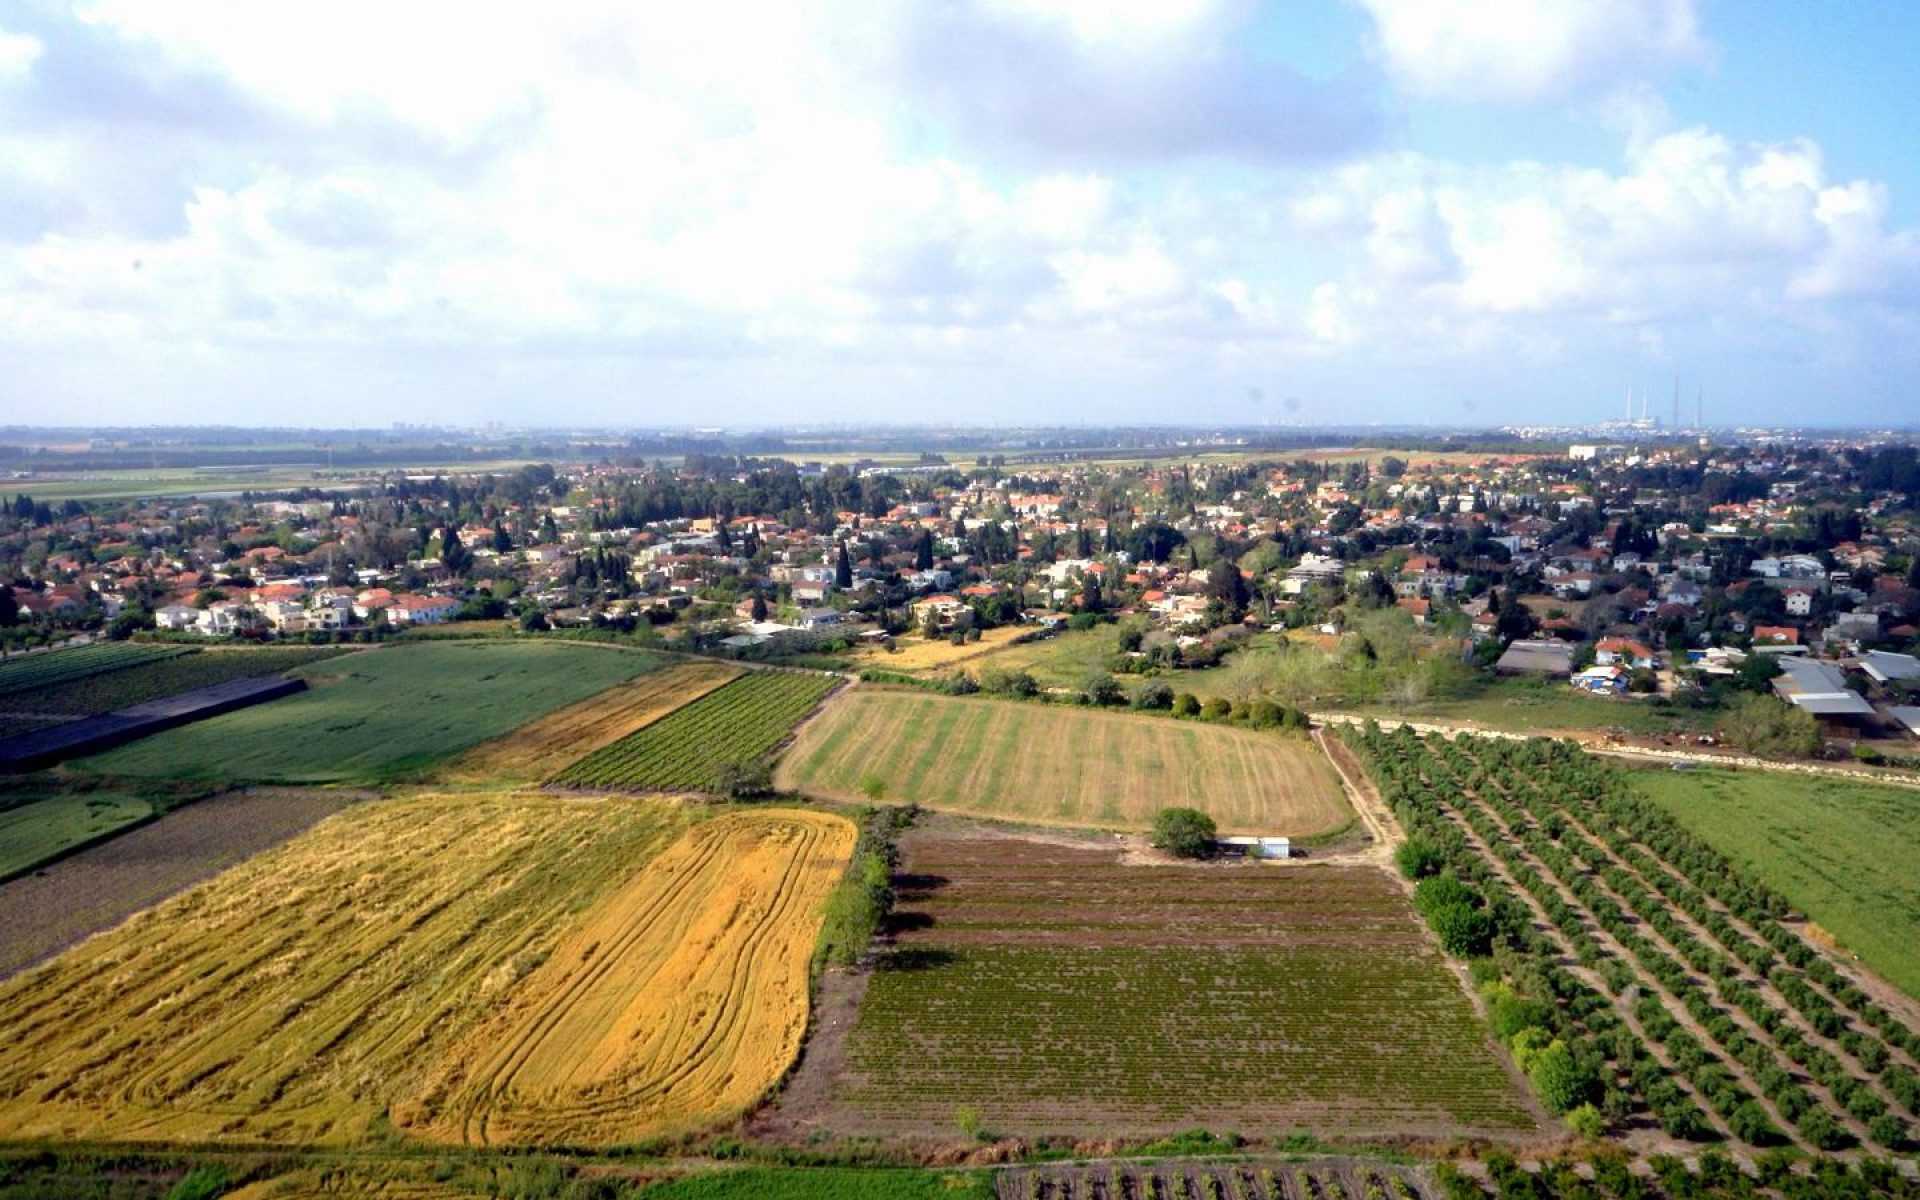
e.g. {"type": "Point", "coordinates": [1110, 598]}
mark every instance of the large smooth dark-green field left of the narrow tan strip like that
{"type": "Point", "coordinates": [381, 715]}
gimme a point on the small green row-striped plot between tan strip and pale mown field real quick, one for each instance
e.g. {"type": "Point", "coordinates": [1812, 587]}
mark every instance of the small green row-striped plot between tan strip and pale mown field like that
{"type": "Point", "coordinates": [740, 723]}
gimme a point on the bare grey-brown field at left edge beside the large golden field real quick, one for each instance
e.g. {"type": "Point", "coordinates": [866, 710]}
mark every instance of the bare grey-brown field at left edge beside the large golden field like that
{"type": "Point", "coordinates": [99, 888]}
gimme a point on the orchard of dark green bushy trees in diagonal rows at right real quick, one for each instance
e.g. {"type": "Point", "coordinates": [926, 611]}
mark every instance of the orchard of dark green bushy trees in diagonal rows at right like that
{"type": "Point", "coordinates": [1681, 990]}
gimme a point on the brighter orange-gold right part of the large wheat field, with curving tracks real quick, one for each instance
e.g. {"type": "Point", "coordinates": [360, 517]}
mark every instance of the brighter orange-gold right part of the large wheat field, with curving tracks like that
{"type": "Point", "coordinates": [675, 1007]}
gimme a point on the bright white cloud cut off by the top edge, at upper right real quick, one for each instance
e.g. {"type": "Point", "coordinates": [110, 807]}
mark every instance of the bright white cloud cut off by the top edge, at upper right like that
{"type": "Point", "coordinates": [1527, 51]}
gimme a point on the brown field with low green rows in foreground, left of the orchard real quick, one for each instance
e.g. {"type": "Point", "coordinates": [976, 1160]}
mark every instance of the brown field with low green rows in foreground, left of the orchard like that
{"type": "Point", "coordinates": [1057, 990]}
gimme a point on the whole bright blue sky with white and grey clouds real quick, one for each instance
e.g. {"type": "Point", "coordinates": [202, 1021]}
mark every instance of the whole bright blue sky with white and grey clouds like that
{"type": "Point", "coordinates": [957, 212]}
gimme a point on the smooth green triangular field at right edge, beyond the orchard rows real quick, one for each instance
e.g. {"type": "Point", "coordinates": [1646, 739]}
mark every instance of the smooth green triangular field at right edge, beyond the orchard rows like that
{"type": "Point", "coordinates": [1840, 852]}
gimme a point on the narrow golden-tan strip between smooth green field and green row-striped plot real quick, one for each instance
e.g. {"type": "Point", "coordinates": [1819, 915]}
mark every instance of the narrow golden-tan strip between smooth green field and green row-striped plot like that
{"type": "Point", "coordinates": [540, 750]}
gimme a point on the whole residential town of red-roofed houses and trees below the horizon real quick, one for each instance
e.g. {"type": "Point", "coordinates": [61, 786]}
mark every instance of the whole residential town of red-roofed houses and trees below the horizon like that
{"type": "Point", "coordinates": [1660, 573]}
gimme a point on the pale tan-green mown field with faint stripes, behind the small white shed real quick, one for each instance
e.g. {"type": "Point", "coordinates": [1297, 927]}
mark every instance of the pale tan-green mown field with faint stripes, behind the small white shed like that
{"type": "Point", "coordinates": [1063, 765]}
